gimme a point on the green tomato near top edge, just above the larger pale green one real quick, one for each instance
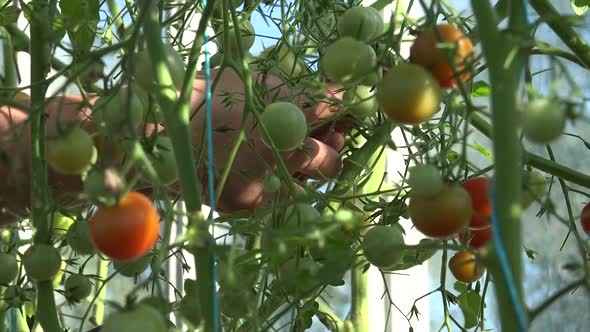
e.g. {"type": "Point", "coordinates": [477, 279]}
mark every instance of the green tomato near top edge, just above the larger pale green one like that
{"type": "Point", "coordinates": [362, 23]}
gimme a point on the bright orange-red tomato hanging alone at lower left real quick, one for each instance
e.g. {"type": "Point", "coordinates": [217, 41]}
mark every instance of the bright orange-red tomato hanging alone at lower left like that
{"type": "Point", "coordinates": [127, 230]}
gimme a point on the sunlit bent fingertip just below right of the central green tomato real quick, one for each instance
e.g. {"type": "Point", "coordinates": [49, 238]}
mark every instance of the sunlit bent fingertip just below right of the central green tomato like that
{"type": "Point", "coordinates": [316, 159]}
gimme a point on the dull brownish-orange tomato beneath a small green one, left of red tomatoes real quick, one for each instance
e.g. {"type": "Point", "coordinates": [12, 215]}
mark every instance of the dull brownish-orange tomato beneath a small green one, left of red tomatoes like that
{"type": "Point", "coordinates": [443, 214]}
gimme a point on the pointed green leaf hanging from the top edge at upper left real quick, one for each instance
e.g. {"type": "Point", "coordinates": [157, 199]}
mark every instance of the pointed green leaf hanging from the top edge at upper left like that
{"type": "Point", "coordinates": [81, 18]}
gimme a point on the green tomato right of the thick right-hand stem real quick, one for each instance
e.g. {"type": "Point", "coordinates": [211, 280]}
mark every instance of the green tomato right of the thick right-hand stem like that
{"type": "Point", "coordinates": [543, 120]}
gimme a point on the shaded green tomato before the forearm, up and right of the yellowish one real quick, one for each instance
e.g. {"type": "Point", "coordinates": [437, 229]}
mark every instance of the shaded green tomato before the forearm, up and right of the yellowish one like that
{"type": "Point", "coordinates": [119, 111]}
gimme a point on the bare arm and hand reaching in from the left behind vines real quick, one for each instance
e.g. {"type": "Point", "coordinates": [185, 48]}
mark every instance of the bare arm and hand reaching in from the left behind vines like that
{"type": "Point", "coordinates": [244, 188]}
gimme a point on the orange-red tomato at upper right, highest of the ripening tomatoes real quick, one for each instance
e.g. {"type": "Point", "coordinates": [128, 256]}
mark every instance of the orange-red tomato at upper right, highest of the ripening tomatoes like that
{"type": "Point", "coordinates": [428, 52]}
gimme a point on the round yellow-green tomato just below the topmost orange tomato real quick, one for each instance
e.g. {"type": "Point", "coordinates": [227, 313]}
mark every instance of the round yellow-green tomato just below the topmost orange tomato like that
{"type": "Point", "coordinates": [408, 94]}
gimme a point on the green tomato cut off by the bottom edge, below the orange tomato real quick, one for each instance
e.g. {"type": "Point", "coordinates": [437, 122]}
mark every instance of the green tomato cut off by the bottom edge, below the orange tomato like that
{"type": "Point", "coordinates": [143, 318]}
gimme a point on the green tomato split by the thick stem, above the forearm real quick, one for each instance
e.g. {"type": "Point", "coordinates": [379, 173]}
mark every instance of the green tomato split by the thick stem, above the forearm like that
{"type": "Point", "coordinates": [145, 71]}
